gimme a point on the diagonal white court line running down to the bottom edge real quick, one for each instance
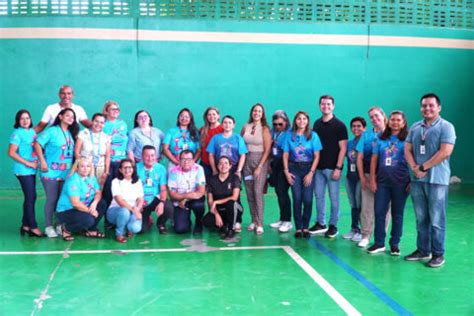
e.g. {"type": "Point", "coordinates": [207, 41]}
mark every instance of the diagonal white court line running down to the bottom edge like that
{"type": "Point", "coordinates": [331, 291]}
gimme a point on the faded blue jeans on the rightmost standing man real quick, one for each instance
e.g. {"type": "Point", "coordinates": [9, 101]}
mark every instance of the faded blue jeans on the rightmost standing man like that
{"type": "Point", "coordinates": [429, 202]}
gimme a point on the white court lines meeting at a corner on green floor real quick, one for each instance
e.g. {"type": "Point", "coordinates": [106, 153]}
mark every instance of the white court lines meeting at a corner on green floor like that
{"type": "Point", "coordinates": [307, 268]}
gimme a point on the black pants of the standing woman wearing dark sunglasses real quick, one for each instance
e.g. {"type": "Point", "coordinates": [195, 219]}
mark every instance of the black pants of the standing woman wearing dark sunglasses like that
{"type": "Point", "coordinates": [281, 189]}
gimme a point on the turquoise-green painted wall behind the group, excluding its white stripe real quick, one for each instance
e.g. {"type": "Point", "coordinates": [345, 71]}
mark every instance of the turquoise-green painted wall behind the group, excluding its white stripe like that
{"type": "Point", "coordinates": [163, 77]}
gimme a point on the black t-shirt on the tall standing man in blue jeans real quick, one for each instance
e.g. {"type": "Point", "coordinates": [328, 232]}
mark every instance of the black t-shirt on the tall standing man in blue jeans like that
{"type": "Point", "coordinates": [330, 133]}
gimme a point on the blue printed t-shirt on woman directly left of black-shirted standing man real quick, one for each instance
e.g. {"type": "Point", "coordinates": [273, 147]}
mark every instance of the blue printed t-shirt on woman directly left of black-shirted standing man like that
{"type": "Point", "coordinates": [300, 148]}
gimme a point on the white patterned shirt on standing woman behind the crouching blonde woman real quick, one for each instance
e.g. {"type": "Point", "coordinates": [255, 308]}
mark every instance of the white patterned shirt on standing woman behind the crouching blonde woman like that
{"type": "Point", "coordinates": [94, 145]}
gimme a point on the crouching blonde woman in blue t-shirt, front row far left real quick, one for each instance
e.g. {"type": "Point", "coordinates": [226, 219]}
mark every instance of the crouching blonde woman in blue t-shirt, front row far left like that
{"type": "Point", "coordinates": [80, 207]}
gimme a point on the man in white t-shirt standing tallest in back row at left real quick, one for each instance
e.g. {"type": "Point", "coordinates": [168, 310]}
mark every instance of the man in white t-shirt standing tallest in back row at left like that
{"type": "Point", "coordinates": [66, 94]}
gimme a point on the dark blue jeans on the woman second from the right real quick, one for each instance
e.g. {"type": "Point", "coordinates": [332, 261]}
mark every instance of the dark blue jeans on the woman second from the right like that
{"type": "Point", "coordinates": [397, 196]}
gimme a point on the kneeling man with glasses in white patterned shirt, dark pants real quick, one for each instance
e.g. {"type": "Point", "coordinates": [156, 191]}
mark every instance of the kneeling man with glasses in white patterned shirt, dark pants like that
{"type": "Point", "coordinates": [187, 184]}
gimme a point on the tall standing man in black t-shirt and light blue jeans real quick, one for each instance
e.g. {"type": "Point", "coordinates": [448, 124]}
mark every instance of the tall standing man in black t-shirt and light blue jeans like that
{"type": "Point", "coordinates": [333, 135]}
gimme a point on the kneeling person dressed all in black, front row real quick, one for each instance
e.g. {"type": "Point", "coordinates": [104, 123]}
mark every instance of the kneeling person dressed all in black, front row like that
{"type": "Point", "coordinates": [223, 199]}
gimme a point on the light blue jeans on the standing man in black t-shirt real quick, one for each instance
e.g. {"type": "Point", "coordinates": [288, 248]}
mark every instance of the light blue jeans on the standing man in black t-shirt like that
{"type": "Point", "coordinates": [323, 180]}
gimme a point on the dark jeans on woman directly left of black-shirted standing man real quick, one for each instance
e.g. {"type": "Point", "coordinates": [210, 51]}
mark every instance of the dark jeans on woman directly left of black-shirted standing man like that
{"type": "Point", "coordinates": [301, 194]}
